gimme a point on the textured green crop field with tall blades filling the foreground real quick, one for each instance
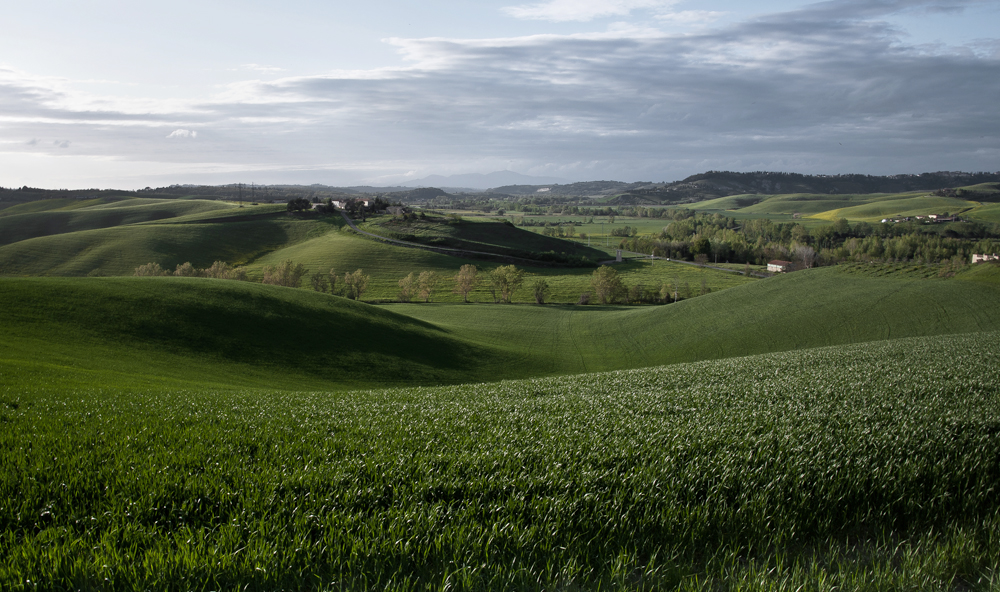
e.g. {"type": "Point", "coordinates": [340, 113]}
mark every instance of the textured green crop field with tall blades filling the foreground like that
{"type": "Point", "coordinates": [867, 467]}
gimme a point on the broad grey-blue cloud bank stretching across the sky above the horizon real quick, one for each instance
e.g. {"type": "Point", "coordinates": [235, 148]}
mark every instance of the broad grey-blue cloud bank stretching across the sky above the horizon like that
{"type": "Point", "coordinates": [829, 88]}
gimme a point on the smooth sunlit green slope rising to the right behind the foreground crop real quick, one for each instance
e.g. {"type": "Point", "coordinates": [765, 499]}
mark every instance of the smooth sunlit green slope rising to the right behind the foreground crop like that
{"type": "Point", "coordinates": [820, 307]}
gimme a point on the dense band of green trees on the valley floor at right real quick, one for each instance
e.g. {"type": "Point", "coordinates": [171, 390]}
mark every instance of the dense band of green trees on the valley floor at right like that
{"type": "Point", "coordinates": [713, 237]}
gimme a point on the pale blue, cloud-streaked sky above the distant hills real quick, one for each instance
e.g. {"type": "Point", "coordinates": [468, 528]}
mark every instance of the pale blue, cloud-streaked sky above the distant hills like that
{"type": "Point", "coordinates": [124, 94]}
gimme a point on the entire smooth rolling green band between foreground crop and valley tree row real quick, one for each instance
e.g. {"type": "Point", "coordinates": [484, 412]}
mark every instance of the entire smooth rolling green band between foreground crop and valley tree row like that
{"type": "Point", "coordinates": [221, 332]}
